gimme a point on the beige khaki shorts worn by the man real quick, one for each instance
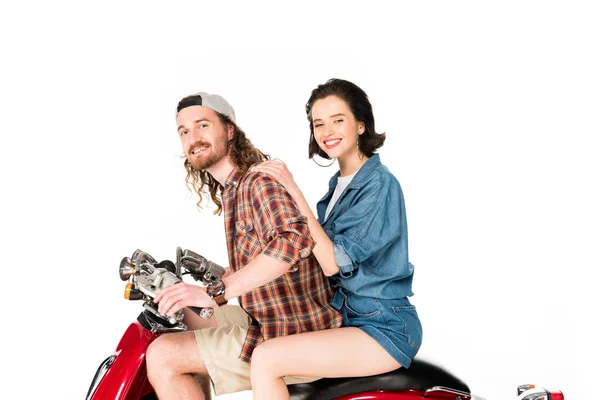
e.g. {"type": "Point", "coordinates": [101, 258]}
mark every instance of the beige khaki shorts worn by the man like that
{"type": "Point", "coordinates": [221, 347]}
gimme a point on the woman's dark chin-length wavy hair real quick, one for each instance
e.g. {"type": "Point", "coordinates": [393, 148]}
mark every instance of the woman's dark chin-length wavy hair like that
{"type": "Point", "coordinates": [358, 102]}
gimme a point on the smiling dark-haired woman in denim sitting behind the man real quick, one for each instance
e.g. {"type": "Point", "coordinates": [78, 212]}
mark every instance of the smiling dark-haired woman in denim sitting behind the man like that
{"type": "Point", "coordinates": [361, 245]}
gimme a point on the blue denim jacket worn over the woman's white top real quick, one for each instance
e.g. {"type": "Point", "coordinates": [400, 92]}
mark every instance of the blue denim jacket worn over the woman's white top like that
{"type": "Point", "coordinates": [368, 229]}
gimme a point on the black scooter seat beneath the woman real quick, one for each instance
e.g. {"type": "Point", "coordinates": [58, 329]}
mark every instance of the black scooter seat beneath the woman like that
{"type": "Point", "coordinates": [420, 376]}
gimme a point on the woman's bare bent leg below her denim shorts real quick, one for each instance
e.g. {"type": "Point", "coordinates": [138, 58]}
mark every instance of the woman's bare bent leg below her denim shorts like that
{"type": "Point", "coordinates": [332, 353]}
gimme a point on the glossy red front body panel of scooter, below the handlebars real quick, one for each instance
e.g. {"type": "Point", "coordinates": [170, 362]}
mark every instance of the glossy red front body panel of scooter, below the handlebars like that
{"type": "Point", "coordinates": [122, 376]}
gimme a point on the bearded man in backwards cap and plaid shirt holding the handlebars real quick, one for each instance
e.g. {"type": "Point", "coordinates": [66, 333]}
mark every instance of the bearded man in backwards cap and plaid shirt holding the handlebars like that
{"type": "Point", "coordinates": [278, 283]}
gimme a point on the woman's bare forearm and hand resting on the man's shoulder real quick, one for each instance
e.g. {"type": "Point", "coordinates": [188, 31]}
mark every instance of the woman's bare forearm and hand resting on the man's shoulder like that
{"type": "Point", "coordinates": [323, 249]}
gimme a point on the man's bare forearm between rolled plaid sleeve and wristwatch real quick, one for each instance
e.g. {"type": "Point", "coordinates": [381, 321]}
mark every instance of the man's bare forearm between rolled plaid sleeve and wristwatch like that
{"type": "Point", "coordinates": [260, 271]}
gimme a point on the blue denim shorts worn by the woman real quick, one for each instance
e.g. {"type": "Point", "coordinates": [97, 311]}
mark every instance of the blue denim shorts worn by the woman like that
{"type": "Point", "coordinates": [394, 324]}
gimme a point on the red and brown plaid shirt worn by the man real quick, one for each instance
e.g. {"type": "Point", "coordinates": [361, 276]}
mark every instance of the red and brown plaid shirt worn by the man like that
{"type": "Point", "coordinates": [260, 217]}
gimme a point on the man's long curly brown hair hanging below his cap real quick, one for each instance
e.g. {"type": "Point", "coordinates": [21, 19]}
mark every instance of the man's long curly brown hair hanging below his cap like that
{"type": "Point", "coordinates": [242, 153]}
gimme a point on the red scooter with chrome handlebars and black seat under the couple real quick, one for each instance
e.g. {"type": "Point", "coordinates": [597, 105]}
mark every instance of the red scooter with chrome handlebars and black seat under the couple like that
{"type": "Point", "coordinates": [122, 376]}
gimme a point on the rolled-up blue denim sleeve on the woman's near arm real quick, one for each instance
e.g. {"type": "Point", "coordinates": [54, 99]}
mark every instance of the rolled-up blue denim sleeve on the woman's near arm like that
{"type": "Point", "coordinates": [370, 224]}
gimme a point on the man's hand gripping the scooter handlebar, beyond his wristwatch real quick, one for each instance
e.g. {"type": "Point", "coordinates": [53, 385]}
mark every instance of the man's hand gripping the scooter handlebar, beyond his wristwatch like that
{"type": "Point", "coordinates": [175, 297]}
